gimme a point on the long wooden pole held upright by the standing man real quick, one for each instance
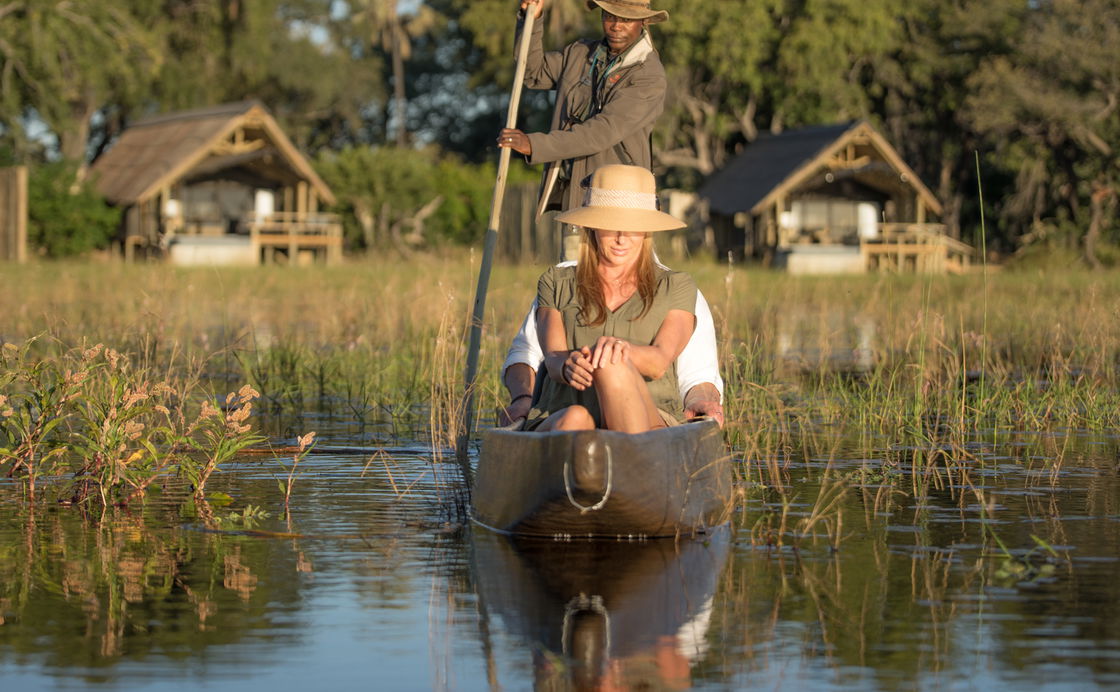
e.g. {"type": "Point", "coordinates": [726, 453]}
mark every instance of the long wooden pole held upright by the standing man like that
{"type": "Point", "coordinates": [484, 270]}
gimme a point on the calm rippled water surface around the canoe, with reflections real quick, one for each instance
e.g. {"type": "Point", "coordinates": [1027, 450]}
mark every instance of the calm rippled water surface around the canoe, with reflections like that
{"type": "Point", "coordinates": [369, 585]}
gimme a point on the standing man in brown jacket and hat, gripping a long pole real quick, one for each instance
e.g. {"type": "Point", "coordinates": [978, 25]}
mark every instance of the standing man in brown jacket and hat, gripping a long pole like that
{"type": "Point", "coordinates": [610, 92]}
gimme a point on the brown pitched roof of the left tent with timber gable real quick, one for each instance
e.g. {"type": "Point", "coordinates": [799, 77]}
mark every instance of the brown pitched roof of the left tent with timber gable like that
{"type": "Point", "coordinates": [154, 154]}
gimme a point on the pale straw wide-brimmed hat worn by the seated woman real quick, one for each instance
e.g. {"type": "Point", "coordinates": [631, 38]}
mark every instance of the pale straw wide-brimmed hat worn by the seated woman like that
{"type": "Point", "coordinates": [621, 199]}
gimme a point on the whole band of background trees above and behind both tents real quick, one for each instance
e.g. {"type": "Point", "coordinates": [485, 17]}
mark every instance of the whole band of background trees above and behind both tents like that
{"type": "Point", "coordinates": [1031, 89]}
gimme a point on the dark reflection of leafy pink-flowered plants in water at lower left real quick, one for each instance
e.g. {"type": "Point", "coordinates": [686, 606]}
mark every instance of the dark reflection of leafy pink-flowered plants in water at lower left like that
{"type": "Point", "coordinates": [77, 591]}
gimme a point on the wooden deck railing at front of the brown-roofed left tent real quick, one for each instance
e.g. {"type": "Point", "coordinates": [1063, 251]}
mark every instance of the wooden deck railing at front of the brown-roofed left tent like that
{"type": "Point", "coordinates": [296, 232]}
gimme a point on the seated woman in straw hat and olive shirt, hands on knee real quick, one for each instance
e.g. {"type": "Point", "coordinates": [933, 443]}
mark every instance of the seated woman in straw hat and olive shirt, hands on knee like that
{"type": "Point", "coordinates": [613, 325]}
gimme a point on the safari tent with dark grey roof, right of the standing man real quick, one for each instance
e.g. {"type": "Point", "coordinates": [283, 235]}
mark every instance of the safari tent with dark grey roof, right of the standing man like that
{"type": "Point", "coordinates": [833, 199]}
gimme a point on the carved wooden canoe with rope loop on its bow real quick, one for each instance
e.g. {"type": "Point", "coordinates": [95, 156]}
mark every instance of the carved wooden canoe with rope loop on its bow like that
{"type": "Point", "coordinates": [604, 484]}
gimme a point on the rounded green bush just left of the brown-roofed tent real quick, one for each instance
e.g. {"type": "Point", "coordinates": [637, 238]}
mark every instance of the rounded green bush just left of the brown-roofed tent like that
{"type": "Point", "coordinates": [67, 219]}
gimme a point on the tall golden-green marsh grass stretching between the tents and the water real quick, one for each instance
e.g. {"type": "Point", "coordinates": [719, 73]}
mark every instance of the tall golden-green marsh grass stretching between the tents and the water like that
{"type": "Point", "coordinates": [909, 371]}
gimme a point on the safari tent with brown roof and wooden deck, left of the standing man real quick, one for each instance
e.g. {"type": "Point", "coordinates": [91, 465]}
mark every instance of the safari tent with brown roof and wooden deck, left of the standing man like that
{"type": "Point", "coordinates": [218, 186]}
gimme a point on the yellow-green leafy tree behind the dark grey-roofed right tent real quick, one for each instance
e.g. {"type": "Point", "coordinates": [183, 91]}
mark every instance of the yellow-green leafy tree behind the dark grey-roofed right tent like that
{"type": "Point", "coordinates": [740, 67]}
